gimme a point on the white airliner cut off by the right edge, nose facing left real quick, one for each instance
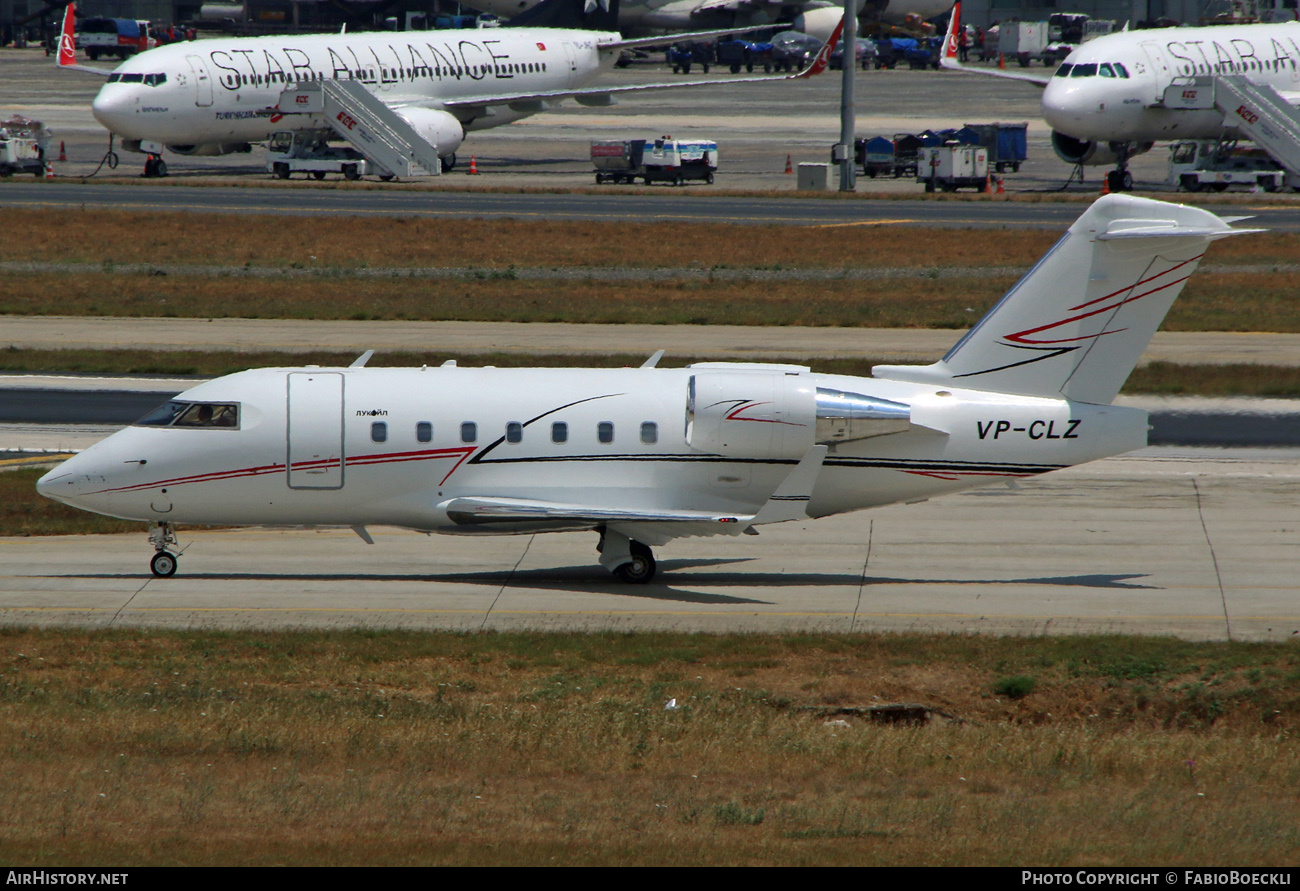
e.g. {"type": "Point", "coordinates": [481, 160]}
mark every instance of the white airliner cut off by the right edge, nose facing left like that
{"type": "Point", "coordinates": [1107, 101]}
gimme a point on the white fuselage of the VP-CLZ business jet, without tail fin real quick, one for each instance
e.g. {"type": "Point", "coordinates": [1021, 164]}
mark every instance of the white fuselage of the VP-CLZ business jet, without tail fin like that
{"type": "Point", "coordinates": [356, 447]}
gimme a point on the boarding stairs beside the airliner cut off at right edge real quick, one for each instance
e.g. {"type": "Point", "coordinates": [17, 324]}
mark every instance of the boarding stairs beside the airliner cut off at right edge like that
{"type": "Point", "coordinates": [1258, 111]}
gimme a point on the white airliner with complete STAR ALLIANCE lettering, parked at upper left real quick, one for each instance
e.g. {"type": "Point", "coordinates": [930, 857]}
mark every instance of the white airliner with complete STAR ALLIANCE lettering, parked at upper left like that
{"type": "Point", "coordinates": [218, 97]}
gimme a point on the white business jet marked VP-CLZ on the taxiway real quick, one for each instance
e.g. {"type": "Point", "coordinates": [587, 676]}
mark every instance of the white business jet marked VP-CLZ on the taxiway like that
{"type": "Point", "coordinates": [645, 456]}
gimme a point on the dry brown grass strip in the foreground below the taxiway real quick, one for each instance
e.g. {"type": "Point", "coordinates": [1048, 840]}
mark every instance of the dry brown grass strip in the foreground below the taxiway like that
{"type": "Point", "coordinates": [527, 750]}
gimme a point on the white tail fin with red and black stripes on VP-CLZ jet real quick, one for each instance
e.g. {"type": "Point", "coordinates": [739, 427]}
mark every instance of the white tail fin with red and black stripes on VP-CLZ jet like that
{"type": "Point", "coordinates": [1078, 322]}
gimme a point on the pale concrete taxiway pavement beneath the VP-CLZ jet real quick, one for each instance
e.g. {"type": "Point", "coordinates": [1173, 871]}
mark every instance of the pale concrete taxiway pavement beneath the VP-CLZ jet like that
{"type": "Point", "coordinates": [1198, 544]}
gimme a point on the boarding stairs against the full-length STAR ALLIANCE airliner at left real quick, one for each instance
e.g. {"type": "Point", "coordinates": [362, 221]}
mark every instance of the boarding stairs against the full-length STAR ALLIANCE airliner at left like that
{"type": "Point", "coordinates": [367, 124]}
